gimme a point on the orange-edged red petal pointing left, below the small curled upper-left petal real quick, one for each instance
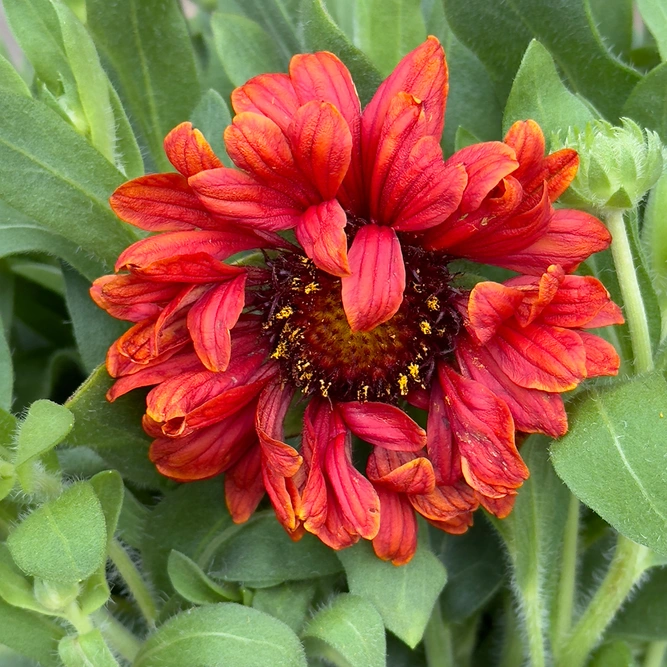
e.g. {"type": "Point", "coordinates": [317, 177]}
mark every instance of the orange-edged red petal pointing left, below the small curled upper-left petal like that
{"type": "Point", "coordinates": [160, 203]}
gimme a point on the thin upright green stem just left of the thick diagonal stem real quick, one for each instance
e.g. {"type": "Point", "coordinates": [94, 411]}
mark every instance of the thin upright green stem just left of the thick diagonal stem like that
{"type": "Point", "coordinates": [568, 575]}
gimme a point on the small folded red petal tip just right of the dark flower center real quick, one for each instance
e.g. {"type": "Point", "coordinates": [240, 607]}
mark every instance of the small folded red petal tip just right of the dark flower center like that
{"type": "Point", "coordinates": [489, 305]}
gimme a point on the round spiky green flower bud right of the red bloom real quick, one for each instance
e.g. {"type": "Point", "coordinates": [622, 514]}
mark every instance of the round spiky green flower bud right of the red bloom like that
{"type": "Point", "coordinates": [617, 165]}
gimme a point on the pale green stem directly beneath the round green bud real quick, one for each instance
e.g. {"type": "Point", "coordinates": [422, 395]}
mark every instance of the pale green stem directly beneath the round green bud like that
{"type": "Point", "coordinates": [635, 311]}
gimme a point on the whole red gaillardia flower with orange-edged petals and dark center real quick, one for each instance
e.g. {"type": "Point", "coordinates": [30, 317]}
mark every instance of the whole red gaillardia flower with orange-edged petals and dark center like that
{"type": "Point", "coordinates": [357, 314]}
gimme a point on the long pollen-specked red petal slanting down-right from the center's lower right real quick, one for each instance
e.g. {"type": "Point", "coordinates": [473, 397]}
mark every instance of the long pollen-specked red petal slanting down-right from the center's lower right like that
{"type": "Point", "coordinates": [484, 431]}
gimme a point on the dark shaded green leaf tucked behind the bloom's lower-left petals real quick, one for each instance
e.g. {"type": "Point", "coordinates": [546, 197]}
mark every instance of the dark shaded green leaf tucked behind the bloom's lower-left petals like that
{"type": "Point", "coordinates": [121, 441]}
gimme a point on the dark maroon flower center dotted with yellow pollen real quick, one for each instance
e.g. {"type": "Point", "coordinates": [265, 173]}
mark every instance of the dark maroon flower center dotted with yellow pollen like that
{"type": "Point", "coordinates": [318, 352]}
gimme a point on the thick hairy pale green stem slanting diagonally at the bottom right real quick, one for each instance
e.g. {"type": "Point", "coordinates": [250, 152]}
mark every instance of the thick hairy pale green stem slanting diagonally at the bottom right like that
{"type": "Point", "coordinates": [629, 563]}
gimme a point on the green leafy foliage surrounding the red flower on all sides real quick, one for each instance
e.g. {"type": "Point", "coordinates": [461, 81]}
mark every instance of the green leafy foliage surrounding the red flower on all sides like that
{"type": "Point", "coordinates": [104, 562]}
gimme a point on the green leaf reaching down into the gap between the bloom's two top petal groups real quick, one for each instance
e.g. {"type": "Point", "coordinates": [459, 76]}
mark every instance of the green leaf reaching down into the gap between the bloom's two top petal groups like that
{"type": "Point", "coordinates": [321, 33]}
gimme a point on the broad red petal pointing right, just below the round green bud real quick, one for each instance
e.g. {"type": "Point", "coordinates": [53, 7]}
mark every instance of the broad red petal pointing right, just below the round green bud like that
{"type": "Point", "coordinates": [572, 236]}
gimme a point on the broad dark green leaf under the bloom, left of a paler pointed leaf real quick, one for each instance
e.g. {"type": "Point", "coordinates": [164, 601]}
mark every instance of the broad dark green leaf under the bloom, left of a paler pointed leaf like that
{"type": "Point", "coordinates": [261, 553]}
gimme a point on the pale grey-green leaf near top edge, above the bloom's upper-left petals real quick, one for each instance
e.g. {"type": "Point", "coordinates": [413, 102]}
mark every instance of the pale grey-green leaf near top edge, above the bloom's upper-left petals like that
{"type": "Point", "coordinates": [236, 40]}
